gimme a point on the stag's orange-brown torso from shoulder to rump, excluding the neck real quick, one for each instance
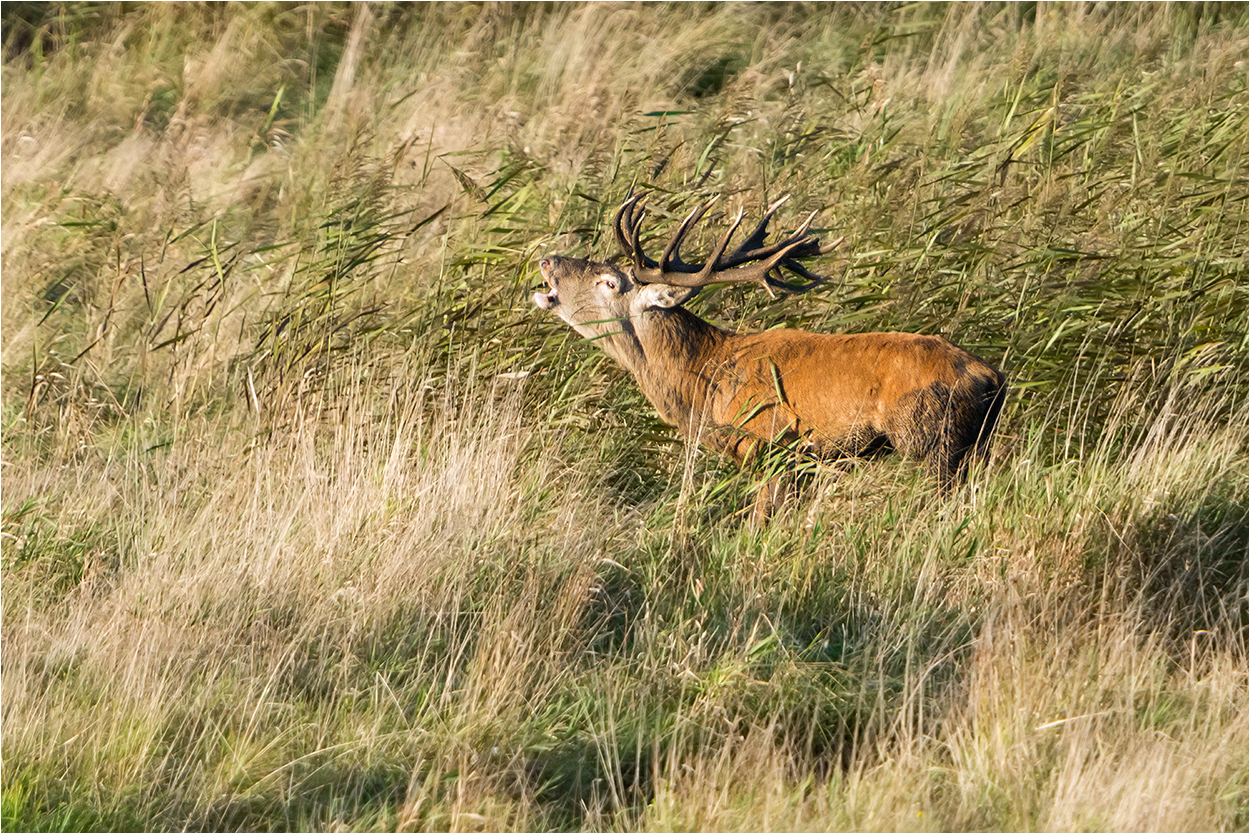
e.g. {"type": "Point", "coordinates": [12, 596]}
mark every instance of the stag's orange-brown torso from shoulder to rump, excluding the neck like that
{"type": "Point", "coordinates": [847, 394]}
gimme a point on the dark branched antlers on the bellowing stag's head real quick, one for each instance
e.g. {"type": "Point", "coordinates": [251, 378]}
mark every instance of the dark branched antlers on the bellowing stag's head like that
{"type": "Point", "coordinates": [751, 263]}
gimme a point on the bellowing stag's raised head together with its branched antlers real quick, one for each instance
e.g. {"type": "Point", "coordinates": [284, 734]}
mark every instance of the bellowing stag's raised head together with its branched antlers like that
{"type": "Point", "coordinates": [599, 299]}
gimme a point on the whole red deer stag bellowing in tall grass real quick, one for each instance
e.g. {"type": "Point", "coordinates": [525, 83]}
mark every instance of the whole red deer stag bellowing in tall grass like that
{"type": "Point", "coordinates": [829, 396]}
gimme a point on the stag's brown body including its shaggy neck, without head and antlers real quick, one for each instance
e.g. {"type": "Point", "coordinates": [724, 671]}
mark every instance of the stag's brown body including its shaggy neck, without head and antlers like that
{"type": "Point", "coordinates": [842, 396]}
